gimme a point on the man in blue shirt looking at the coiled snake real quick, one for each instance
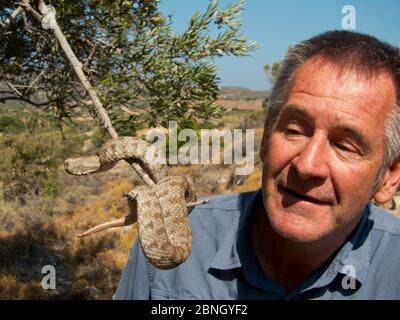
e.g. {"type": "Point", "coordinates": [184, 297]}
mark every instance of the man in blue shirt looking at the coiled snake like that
{"type": "Point", "coordinates": [331, 144]}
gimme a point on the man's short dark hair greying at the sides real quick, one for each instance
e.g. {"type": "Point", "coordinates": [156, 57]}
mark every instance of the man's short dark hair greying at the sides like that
{"type": "Point", "coordinates": [362, 53]}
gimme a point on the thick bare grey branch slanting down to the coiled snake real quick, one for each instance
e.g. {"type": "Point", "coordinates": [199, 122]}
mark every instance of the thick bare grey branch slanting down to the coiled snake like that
{"type": "Point", "coordinates": [49, 21]}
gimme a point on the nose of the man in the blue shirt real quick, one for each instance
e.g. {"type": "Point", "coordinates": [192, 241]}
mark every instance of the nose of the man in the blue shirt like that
{"type": "Point", "coordinates": [312, 159]}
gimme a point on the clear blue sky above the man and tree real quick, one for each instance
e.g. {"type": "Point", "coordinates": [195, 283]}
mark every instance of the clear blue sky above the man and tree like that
{"type": "Point", "coordinates": [277, 24]}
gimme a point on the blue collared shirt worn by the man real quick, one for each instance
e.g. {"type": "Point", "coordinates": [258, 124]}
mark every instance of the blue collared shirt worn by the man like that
{"type": "Point", "coordinates": [223, 265]}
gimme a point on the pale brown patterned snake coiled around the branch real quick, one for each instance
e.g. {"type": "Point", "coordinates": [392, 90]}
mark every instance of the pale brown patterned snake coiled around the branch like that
{"type": "Point", "coordinates": [161, 212]}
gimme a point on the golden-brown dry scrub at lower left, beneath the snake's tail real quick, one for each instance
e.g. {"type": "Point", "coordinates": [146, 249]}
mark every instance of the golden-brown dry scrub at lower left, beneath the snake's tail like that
{"type": "Point", "coordinates": [83, 266]}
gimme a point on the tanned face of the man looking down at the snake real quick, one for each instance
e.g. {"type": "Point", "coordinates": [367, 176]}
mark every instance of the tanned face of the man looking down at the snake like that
{"type": "Point", "coordinates": [325, 151]}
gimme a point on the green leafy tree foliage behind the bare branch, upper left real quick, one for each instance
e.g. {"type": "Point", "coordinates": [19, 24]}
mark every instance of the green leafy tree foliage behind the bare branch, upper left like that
{"type": "Point", "coordinates": [145, 73]}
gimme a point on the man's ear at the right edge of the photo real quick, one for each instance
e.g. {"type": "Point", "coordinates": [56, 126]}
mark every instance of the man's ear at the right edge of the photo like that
{"type": "Point", "coordinates": [389, 184]}
